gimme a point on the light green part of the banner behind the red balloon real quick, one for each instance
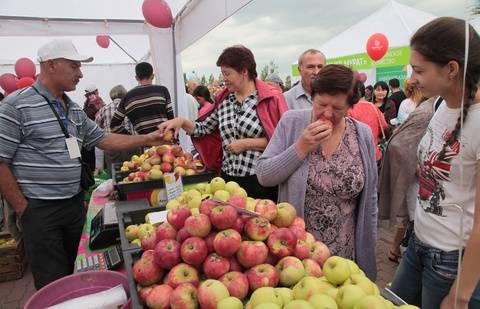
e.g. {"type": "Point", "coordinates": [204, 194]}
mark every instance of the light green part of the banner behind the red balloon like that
{"type": "Point", "coordinates": [398, 56]}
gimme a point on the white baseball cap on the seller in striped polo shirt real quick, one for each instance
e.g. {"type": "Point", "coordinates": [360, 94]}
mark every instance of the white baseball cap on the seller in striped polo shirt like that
{"type": "Point", "coordinates": [61, 48]}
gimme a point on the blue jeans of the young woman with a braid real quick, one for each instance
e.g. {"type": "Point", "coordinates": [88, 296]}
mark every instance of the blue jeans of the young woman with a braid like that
{"type": "Point", "coordinates": [425, 276]}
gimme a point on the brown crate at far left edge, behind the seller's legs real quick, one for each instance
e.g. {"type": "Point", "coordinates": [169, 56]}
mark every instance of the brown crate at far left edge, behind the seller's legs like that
{"type": "Point", "coordinates": [12, 258]}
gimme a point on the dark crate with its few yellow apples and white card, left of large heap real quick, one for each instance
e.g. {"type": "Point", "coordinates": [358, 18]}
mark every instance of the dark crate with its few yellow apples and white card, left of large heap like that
{"type": "Point", "coordinates": [131, 217]}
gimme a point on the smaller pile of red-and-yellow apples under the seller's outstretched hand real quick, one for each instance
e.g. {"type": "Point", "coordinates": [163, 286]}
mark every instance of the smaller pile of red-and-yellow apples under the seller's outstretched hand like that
{"type": "Point", "coordinates": [157, 160]}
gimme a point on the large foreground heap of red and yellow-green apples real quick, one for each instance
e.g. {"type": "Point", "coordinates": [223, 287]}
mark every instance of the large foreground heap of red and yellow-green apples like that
{"type": "Point", "coordinates": [214, 256]}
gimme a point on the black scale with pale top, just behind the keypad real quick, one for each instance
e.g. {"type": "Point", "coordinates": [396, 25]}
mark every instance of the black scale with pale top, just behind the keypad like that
{"type": "Point", "coordinates": [104, 230]}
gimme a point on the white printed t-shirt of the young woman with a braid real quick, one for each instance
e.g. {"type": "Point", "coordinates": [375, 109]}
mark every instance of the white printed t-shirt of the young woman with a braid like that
{"type": "Point", "coordinates": [441, 182]}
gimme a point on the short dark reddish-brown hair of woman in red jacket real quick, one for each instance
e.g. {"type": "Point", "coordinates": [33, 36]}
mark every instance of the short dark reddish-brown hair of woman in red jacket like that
{"type": "Point", "coordinates": [239, 58]}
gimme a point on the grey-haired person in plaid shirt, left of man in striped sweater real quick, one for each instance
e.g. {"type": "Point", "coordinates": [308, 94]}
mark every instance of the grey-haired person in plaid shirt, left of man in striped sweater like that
{"type": "Point", "coordinates": [103, 119]}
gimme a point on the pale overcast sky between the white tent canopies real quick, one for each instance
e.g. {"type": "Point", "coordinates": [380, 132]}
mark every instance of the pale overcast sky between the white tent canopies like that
{"type": "Point", "coordinates": [280, 30]}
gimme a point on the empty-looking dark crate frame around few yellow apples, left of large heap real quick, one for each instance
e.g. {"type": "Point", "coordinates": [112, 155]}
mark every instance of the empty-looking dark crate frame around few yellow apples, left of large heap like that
{"type": "Point", "coordinates": [131, 214]}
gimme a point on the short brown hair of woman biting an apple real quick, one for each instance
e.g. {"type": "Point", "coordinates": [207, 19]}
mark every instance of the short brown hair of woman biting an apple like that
{"type": "Point", "coordinates": [336, 79]}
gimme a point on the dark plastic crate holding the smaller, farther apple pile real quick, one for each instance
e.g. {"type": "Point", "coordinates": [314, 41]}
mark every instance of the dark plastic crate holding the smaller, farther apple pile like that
{"type": "Point", "coordinates": [136, 190]}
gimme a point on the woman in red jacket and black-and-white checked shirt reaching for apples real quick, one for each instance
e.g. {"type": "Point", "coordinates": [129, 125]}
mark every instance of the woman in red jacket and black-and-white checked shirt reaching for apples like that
{"type": "Point", "coordinates": [233, 133]}
